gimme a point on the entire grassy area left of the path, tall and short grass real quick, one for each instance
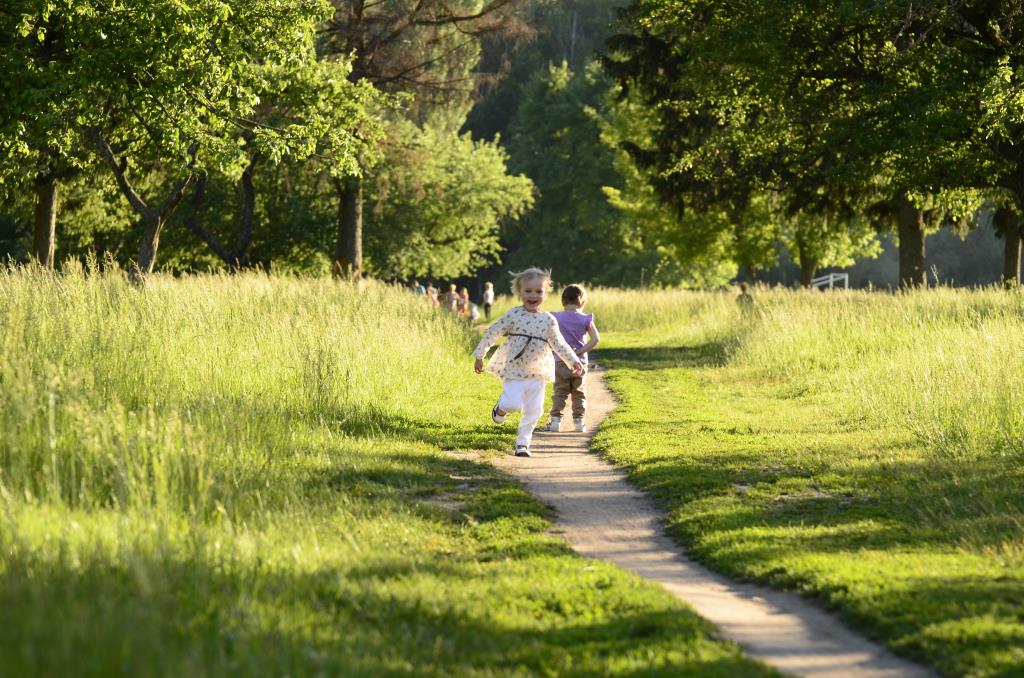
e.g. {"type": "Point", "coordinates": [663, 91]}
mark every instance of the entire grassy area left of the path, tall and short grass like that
{"type": "Point", "coordinates": [251, 477]}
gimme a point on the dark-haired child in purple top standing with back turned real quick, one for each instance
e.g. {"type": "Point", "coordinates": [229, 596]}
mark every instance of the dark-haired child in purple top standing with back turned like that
{"type": "Point", "coordinates": [573, 324]}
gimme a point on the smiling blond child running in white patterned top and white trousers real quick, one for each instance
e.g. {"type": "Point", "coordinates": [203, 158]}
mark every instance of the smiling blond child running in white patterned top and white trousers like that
{"type": "Point", "coordinates": [524, 361]}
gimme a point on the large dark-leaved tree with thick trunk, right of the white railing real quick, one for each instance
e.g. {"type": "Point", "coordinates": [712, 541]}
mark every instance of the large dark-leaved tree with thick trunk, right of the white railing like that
{"type": "Point", "coordinates": [832, 107]}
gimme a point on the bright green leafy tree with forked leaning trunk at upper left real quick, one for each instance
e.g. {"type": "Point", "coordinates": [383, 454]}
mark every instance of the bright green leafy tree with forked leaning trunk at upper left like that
{"type": "Point", "coordinates": [162, 88]}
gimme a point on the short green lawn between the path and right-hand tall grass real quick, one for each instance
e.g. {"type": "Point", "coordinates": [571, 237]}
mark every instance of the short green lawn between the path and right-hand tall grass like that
{"type": "Point", "coordinates": [764, 481]}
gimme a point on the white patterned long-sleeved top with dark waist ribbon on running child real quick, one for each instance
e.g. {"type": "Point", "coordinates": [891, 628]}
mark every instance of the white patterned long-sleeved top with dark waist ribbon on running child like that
{"type": "Point", "coordinates": [527, 353]}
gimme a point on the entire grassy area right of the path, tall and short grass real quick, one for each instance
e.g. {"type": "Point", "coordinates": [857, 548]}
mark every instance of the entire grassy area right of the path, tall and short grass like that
{"type": "Point", "coordinates": [865, 450]}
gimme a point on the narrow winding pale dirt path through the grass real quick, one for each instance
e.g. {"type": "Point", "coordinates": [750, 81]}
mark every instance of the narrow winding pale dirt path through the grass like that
{"type": "Point", "coordinates": [604, 517]}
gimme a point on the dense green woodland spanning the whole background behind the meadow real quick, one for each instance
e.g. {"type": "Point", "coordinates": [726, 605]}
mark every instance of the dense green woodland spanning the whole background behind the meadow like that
{"type": "Point", "coordinates": [453, 142]}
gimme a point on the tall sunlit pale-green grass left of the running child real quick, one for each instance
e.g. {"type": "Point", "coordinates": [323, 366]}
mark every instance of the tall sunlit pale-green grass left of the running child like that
{"type": "Point", "coordinates": [112, 397]}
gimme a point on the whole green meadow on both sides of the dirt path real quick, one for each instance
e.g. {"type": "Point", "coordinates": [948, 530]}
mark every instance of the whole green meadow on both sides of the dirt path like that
{"type": "Point", "coordinates": [269, 476]}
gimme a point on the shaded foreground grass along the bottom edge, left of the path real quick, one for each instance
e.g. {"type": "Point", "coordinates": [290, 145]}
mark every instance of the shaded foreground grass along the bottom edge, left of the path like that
{"type": "Point", "coordinates": [378, 619]}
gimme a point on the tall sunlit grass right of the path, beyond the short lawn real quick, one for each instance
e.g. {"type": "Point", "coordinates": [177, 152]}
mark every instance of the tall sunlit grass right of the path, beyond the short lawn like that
{"type": "Point", "coordinates": [944, 365]}
